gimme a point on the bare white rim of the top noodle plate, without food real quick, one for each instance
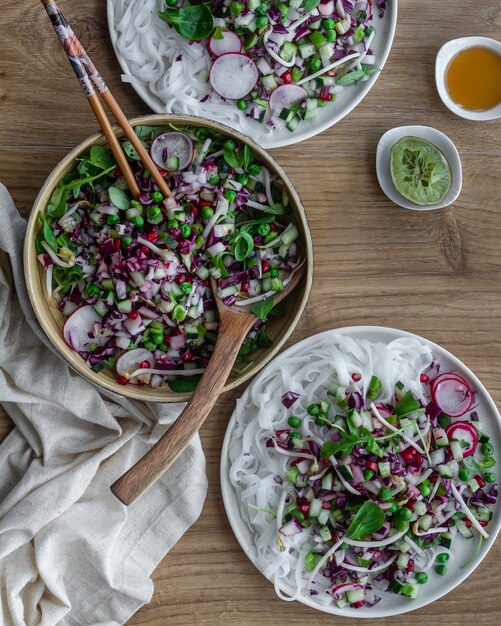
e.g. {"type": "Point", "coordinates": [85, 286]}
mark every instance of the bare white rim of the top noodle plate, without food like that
{"type": "Point", "coordinates": [329, 115]}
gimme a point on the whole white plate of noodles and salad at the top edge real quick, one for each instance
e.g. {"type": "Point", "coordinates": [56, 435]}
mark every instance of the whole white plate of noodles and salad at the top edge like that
{"type": "Point", "coordinates": [173, 75]}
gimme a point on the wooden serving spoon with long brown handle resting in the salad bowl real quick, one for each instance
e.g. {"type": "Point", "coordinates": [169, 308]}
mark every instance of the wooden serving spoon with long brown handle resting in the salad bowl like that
{"type": "Point", "coordinates": [234, 324]}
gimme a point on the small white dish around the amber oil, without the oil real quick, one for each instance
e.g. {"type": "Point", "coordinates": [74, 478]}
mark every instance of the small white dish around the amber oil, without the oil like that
{"type": "Point", "coordinates": [444, 56]}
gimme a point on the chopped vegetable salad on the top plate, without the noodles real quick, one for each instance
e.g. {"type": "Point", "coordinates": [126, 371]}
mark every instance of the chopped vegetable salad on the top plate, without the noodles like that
{"type": "Point", "coordinates": [280, 61]}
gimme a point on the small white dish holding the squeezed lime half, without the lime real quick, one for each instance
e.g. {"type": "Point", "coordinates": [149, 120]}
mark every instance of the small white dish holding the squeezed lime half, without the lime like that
{"type": "Point", "coordinates": [434, 136]}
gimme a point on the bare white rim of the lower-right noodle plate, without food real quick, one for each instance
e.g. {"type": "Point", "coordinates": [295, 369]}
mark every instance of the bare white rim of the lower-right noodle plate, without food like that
{"type": "Point", "coordinates": [437, 586]}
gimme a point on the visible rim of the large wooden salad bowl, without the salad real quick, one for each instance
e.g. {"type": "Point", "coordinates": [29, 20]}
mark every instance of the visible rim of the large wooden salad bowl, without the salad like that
{"type": "Point", "coordinates": [51, 319]}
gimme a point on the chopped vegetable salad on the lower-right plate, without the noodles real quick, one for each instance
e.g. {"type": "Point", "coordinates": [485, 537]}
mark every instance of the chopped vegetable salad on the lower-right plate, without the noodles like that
{"type": "Point", "coordinates": [384, 490]}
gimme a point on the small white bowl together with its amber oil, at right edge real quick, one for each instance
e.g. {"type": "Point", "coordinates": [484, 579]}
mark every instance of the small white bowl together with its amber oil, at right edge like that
{"type": "Point", "coordinates": [475, 96]}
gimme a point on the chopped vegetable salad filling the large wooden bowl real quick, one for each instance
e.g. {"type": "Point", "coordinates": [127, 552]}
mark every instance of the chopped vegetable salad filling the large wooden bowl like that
{"type": "Point", "coordinates": [131, 277]}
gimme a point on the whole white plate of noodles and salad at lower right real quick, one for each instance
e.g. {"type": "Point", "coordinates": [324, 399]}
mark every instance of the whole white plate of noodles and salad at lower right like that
{"type": "Point", "coordinates": [347, 562]}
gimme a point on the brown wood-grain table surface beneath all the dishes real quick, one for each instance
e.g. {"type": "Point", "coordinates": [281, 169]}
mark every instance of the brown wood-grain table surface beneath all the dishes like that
{"type": "Point", "coordinates": [437, 274]}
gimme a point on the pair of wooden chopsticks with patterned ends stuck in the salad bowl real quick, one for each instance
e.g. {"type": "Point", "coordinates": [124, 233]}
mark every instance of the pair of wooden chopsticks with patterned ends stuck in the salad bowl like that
{"type": "Point", "coordinates": [91, 80]}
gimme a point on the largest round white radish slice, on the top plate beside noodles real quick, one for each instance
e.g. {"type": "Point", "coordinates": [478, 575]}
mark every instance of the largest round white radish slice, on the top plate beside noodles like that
{"type": "Point", "coordinates": [233, 75]}
